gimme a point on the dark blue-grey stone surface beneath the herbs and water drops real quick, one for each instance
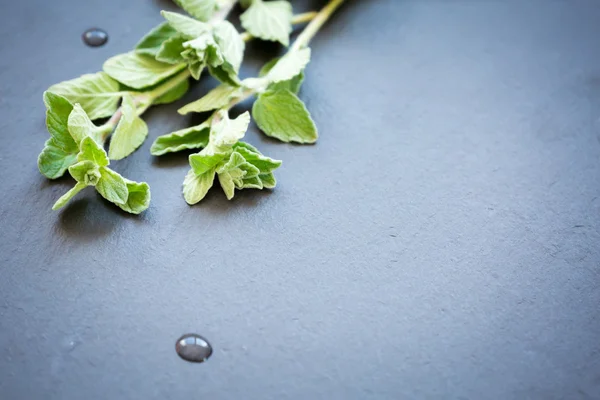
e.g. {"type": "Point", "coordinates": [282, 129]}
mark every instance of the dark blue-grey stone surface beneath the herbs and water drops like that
{"type": "Point", "coordinates": [440, 241]}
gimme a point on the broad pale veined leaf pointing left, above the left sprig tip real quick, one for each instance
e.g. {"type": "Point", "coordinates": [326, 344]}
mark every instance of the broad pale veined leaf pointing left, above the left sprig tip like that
{"type": "Point", "coordinates": [97, 93]}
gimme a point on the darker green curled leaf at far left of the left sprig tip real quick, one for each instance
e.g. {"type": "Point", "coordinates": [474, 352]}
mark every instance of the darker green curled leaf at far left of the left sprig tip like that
{"type": "Point", "coordinates": [60, 151]}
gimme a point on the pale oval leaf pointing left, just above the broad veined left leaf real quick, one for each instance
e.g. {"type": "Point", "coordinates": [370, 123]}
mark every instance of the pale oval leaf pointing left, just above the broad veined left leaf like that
{"type": "Point", "coordinates": [139, 70]}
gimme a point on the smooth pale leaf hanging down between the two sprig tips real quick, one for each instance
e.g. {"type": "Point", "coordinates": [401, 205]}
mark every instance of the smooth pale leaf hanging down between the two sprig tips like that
{"type": "Point", "coordinates": [130, 132]}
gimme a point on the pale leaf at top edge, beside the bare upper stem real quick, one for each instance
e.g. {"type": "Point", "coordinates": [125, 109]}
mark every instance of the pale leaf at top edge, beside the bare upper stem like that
{"type": "Point", "coordinates": [269, 20]}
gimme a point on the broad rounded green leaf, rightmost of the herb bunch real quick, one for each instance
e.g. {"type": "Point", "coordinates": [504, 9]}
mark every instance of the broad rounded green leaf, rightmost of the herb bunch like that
{"type": "Point", "coordinates": [284, 116]}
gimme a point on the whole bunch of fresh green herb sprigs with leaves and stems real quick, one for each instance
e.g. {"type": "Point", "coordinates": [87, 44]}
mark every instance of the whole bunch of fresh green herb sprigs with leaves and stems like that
{"type": "Point", "coordinates": [158, 71]}
